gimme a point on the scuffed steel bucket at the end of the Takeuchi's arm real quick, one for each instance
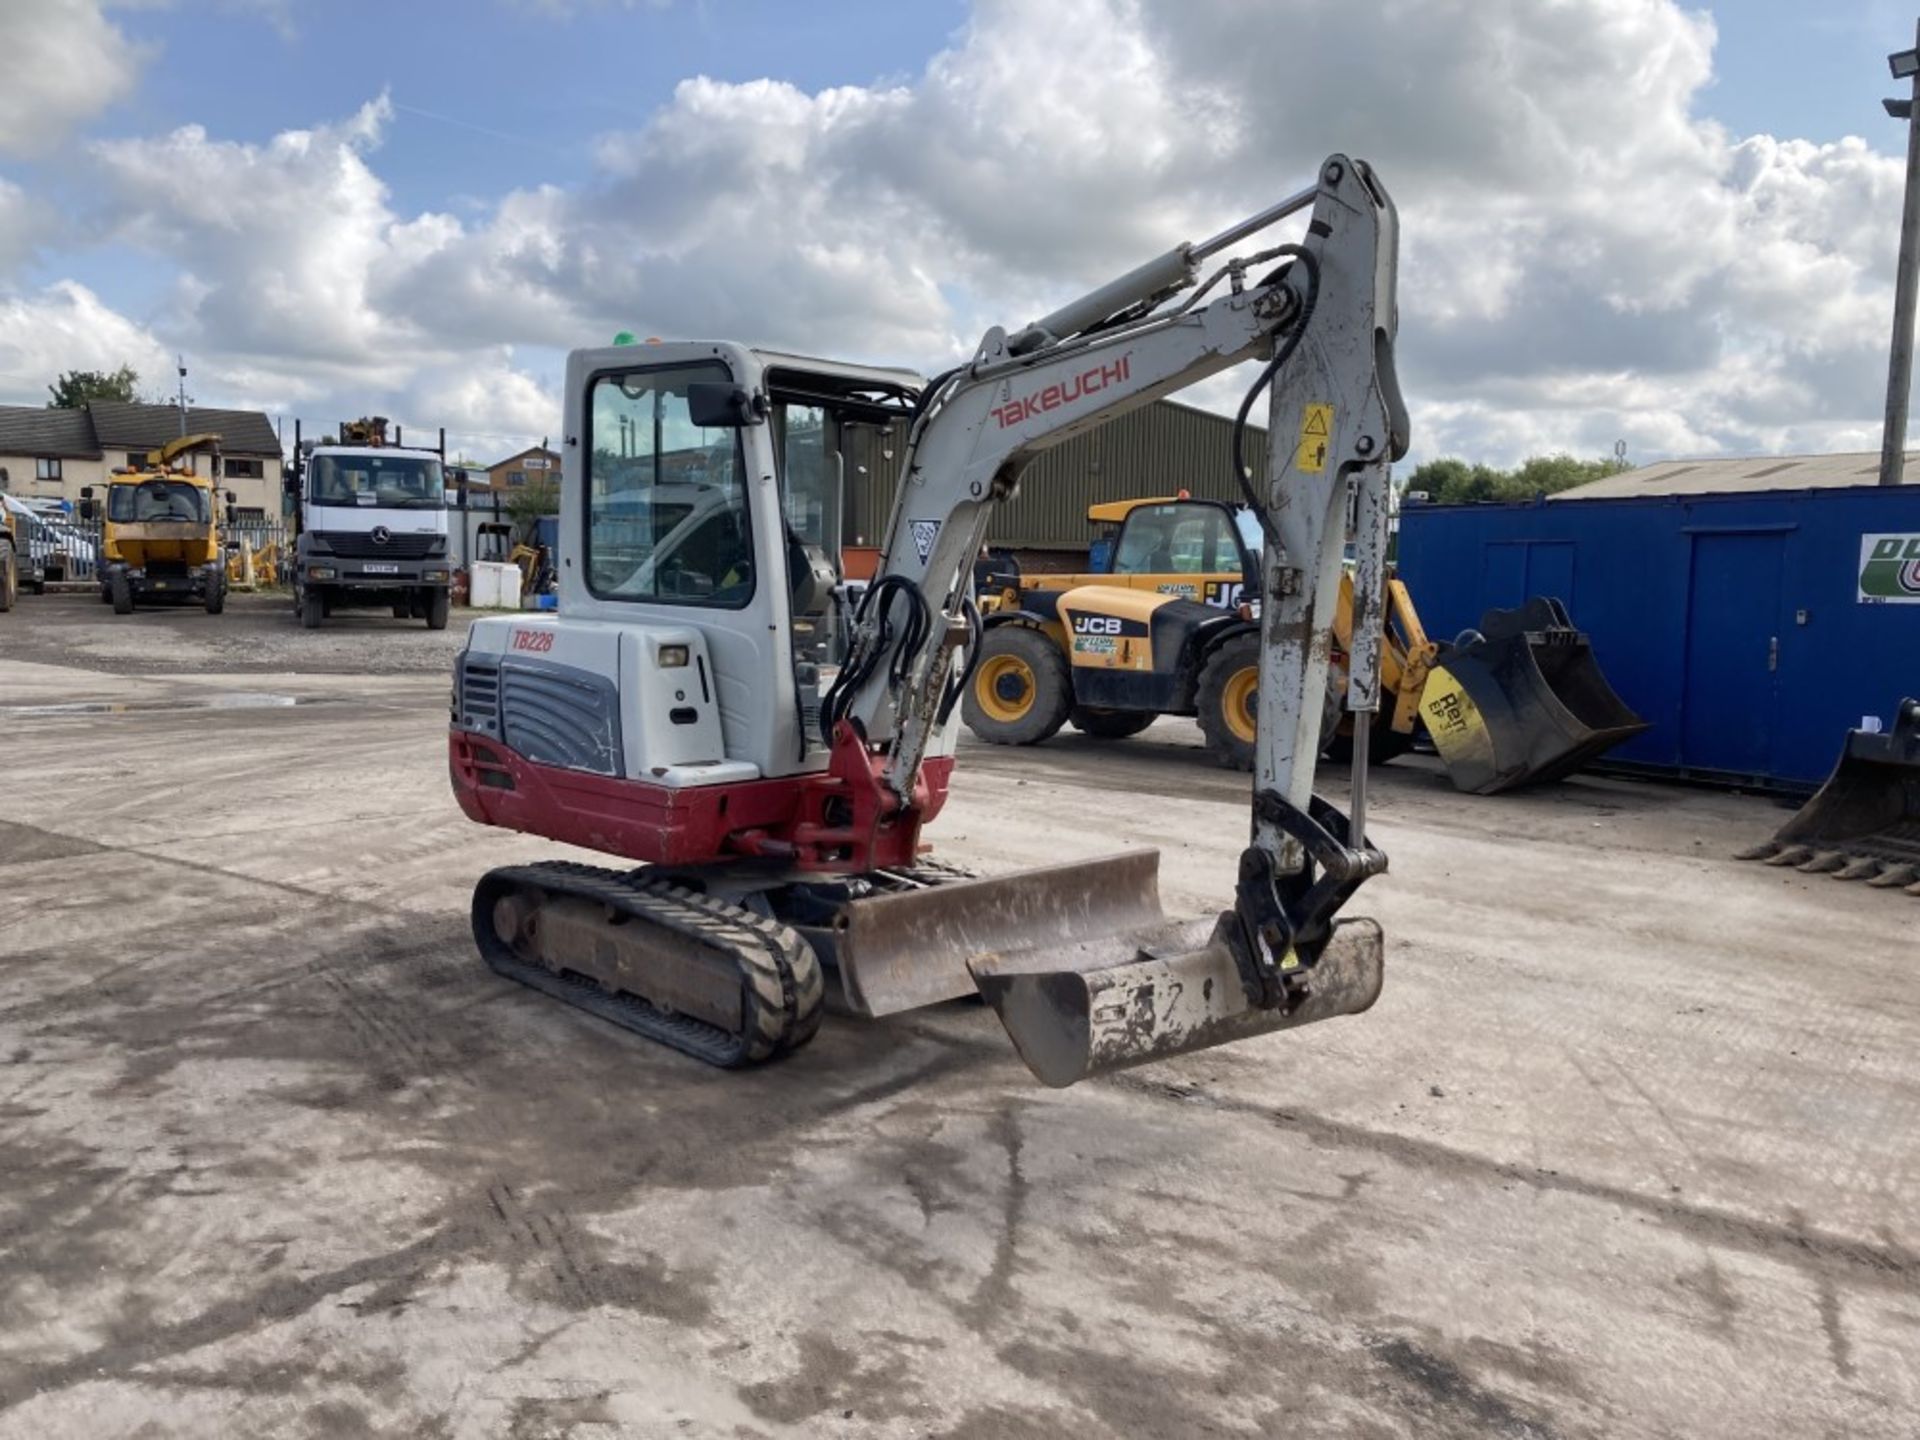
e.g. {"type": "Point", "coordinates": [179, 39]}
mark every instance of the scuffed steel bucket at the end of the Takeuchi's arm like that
{"type": "Point", "coordinates": [1088, 1009]}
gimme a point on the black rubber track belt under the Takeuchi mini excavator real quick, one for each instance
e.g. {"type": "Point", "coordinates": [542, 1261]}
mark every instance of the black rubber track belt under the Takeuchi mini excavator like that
{"type": "Point", "coordinates": [780, 976]}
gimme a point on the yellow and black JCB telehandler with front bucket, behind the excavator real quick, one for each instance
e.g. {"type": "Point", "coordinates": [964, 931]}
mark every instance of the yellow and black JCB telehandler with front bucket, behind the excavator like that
{"type": "Point", "coordinates": [1166, 623]}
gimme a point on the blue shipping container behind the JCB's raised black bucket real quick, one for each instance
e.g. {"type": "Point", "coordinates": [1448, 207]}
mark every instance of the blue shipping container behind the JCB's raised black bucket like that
{"type": "Point", "coordinates": [1750, 629]}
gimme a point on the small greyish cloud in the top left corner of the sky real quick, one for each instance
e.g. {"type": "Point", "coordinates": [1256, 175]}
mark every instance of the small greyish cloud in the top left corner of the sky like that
{"type": "Point", "coordinates": [66, 62]}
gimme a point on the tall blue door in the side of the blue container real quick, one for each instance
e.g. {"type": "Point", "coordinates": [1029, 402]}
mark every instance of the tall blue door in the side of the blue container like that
{"type": "Point", "coordinates": [1733, 654]}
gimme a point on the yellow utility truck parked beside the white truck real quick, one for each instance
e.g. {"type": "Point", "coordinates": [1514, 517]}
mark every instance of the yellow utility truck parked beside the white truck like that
{"type": "Point", "coordinates": [160, 539]}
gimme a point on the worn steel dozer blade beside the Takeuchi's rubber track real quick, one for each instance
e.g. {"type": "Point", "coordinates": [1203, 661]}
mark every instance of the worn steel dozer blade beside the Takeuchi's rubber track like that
{"type": "Point", "coordinates": [909, 949]}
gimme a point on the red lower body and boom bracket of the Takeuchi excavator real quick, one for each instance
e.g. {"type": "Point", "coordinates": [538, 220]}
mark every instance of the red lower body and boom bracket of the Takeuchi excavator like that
{"type": "Point", "coordinates": [840, 821]}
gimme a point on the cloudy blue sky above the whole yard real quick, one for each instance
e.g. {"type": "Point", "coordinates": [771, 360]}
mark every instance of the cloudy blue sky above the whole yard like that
{"type": "Point", "coordinates": [1621, 220]}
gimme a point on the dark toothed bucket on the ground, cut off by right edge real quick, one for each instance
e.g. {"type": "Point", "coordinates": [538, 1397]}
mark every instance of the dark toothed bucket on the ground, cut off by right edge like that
{"type": "Point", "coordinates": [1865, 821]}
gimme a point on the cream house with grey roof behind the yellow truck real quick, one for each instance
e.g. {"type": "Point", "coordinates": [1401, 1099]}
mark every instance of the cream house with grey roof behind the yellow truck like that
{"type": "Point", "coordinates": [53, 454]}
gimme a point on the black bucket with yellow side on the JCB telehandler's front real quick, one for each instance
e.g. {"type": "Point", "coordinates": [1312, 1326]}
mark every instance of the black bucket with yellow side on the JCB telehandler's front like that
{"type": "Point", "coordinates": [1524, 702]}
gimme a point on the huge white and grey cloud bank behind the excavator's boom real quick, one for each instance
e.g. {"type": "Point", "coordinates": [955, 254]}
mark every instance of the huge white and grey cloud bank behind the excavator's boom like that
{"type": "Point", "coordinates": [1585, 256]}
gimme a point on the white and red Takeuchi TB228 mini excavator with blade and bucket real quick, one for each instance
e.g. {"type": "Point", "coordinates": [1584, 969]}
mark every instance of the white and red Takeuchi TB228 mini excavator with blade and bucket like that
{"type": "Point", "coordinates": [702, 702]}
